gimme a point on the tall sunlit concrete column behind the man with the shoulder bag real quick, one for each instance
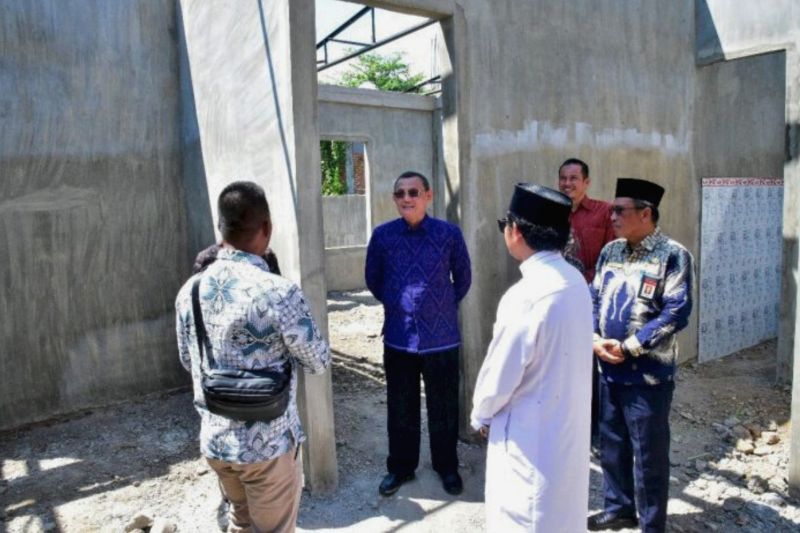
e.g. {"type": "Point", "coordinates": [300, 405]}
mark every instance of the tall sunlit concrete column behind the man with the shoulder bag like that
{"type": "Point", "coordinates": [253, 79]}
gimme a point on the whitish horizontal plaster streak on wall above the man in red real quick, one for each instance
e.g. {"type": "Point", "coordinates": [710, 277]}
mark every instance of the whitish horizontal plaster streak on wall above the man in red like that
{"type": "Point", "coordinates": [544, 134]}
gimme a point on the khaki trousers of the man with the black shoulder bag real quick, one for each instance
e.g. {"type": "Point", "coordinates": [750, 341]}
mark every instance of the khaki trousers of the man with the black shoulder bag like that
{"type": "Point", "coordinates": [264, 497]}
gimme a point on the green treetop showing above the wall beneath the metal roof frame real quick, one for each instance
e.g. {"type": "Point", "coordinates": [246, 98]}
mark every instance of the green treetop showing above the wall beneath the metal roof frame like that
{"type": "Point", "coordinates": [386, 73]}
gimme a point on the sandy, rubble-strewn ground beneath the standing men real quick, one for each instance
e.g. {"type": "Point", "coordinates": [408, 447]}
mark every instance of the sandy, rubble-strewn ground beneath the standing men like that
{"type": "Point", "coordinates": [97, 470]}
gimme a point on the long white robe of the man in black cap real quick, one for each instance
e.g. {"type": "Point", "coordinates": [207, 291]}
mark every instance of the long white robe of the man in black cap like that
{"type": "Point", "coordinates": [534, 391]}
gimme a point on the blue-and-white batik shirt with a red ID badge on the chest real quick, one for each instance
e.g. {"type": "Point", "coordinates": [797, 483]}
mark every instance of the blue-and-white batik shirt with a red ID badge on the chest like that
{"type": "Point", "coordinates": [642, 297]}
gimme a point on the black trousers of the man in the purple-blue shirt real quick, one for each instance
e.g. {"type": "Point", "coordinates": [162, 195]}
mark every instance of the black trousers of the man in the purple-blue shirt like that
{"type": "Point", "coordinates": [440, 372]}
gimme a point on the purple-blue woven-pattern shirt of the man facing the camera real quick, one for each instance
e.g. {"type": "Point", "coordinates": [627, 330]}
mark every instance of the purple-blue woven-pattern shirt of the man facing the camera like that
{"type": "Point", "coordinates": [419, 276]}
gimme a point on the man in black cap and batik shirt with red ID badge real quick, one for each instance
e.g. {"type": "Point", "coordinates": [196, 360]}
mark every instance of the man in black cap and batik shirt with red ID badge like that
{"type": "Point", "coordinates": [642, 297]}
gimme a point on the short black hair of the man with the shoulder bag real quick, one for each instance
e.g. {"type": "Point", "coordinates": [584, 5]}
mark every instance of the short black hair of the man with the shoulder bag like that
{"type": "Point", "coordinates": [243, 208]}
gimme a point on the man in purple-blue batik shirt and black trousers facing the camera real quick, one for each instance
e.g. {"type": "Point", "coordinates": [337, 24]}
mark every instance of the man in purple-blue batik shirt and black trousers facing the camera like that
{"type": "Point", "coordinates": [419, 269]}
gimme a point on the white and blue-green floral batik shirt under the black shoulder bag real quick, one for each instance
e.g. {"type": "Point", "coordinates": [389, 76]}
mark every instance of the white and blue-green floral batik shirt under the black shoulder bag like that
{"type": "Point", "coordinates": [254, 320]}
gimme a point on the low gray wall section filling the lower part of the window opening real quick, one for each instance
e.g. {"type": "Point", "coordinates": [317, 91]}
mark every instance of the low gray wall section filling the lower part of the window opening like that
{"type": "Point", "coordinates": [345, 220]}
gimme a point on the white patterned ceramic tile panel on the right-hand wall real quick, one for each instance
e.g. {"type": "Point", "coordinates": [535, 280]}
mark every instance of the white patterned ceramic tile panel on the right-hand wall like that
{"type": "Point", "coordinates": [740, 263]}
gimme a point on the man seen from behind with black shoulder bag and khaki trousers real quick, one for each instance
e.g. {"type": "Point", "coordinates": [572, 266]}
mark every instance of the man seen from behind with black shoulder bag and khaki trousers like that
{"type": "Point", "coordinates": [244, 333]}
